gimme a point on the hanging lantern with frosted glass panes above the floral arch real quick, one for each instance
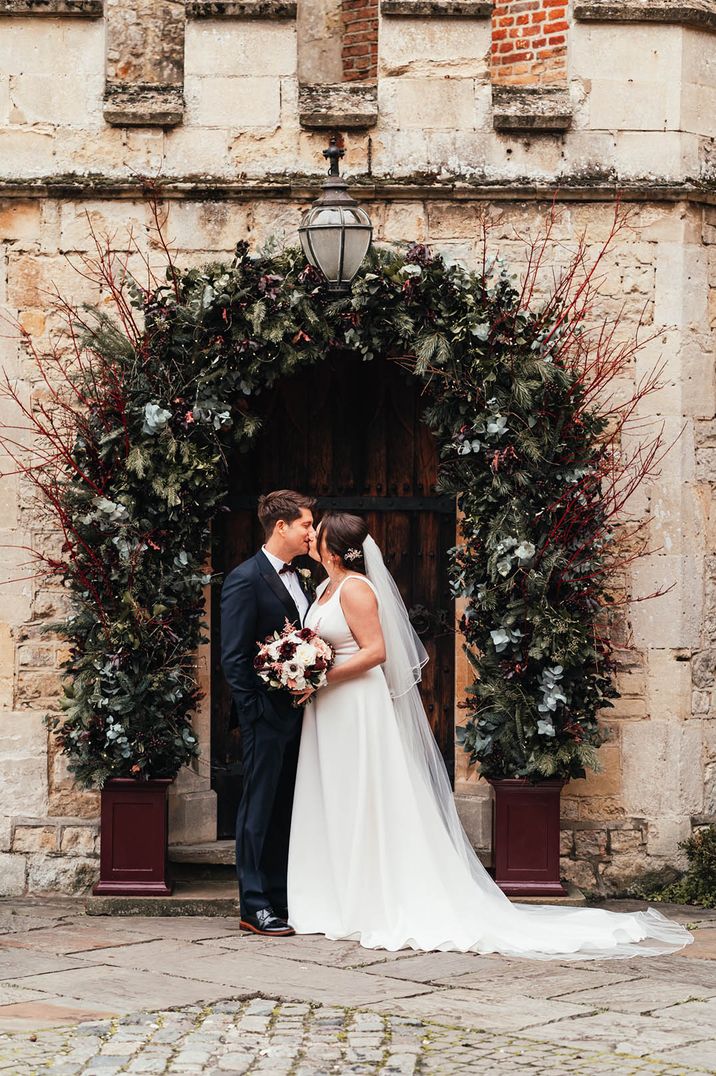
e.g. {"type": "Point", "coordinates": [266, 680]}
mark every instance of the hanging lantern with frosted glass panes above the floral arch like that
{"type": "Point", "coordinates": [335, 233]}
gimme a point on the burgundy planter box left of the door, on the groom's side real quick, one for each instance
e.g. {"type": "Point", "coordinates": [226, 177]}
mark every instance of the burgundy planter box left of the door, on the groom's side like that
{"type": "Point", "coordinates": [133, 856]}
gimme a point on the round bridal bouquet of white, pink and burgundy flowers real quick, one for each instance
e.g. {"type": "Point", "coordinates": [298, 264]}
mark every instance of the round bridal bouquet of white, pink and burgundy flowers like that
{"type": "Point", "coordinates": [296, 660]}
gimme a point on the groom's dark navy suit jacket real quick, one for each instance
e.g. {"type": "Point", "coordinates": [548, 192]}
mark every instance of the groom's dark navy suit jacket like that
{"type": "Point", "coordinates": [256, 604]}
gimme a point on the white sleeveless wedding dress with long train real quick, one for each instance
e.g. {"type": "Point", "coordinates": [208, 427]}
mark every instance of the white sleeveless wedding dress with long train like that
{"type": "Point", "coordinates": [372, 858]}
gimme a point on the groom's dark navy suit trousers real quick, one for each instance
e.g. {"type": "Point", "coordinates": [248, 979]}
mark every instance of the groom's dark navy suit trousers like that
{"type": "Point", "coordinates": [263, 824]}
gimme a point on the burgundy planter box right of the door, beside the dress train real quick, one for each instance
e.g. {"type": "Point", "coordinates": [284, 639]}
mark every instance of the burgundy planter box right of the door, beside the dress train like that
{"type": "Point", "coordinates": [527, 838]}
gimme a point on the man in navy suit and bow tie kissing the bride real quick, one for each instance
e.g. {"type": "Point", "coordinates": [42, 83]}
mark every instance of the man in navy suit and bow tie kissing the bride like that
{"type": "Point", "coordinates": [258, 597]}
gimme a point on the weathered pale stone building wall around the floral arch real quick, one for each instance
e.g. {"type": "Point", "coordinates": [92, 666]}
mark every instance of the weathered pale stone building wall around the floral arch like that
{"type": "Point", "coordinates": [429, 146]}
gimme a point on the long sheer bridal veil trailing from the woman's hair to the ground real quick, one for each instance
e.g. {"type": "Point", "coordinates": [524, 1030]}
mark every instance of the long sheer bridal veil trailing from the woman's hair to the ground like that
{"type": "Point", "coordinates": [535, 931]}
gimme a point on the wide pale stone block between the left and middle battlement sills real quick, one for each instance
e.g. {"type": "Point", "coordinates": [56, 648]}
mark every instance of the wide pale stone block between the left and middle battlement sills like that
{"type": "Point", "coordinates": [233, 103]}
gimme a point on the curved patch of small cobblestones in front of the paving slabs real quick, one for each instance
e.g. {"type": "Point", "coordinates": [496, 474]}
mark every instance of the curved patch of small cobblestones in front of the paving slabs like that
{"type": "Point", "coordinates": [265, 1036]}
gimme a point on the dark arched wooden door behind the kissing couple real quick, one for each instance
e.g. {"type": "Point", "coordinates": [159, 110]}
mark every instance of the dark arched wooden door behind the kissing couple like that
{"type": "Point", "coordinates": [350, 433]}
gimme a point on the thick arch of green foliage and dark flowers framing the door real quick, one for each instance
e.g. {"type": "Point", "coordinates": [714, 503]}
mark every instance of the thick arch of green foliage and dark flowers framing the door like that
{"type": "Point", "coordinates": [165, 410]}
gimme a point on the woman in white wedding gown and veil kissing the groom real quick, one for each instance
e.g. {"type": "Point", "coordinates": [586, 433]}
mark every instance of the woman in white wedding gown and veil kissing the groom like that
{"type": "Point", "coordinates": [377, 852]}
